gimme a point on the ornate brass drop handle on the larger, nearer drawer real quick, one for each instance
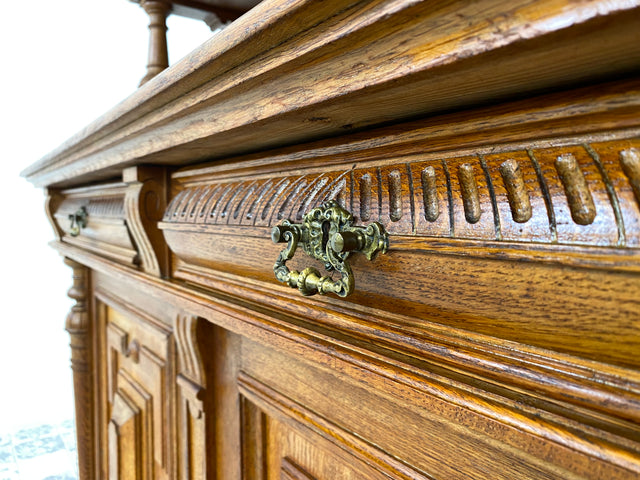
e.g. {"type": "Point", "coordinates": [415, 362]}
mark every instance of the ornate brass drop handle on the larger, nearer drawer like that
{"type": "Point", "coordinates": [327, 234]}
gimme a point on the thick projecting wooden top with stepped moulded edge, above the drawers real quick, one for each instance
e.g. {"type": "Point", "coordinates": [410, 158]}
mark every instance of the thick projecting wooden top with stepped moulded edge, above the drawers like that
{"type": "Point", "coordinates": [291, 72]}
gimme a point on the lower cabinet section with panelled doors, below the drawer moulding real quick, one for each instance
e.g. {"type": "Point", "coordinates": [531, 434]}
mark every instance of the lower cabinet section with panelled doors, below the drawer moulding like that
{"type": "Point", "coordinates": [178, 396]}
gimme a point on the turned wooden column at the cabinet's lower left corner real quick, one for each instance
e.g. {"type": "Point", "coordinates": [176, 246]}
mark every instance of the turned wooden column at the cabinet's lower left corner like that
{"type": "Point", "coordinates": [79, 329]}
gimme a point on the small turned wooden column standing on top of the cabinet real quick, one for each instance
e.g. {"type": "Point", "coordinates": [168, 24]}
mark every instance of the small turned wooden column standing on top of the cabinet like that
{"type": "Point", "coordinates": [158, 55]}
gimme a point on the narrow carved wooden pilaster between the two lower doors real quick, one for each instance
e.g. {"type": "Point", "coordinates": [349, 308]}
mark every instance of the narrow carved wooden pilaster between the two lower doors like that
{"type": "Point", "coordinates": [191, 385]}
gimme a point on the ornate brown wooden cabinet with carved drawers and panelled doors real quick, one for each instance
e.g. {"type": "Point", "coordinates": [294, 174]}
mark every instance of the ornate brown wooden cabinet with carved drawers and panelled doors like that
{"type": "Point", "coordinates": [498, 145]}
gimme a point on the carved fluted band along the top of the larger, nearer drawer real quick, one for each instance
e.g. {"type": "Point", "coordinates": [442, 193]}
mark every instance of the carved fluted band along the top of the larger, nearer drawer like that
{"type": "Point", "coordinates": [582, 194]}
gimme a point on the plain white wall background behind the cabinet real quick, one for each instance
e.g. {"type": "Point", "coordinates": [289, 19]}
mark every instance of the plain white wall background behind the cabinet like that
{"type": "Point", "coordinates": [63, 64]}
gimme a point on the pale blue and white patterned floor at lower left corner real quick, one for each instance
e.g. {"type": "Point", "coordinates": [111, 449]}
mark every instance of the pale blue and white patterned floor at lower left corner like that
{"type": "Point", "coordinates": [45, 452]}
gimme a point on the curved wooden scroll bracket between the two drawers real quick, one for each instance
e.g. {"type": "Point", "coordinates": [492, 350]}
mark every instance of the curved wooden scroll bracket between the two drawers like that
{"type": "Point", "coordinates": [144, 204]}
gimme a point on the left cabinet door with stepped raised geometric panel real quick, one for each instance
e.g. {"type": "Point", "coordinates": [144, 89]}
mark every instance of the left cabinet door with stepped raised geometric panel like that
{"type": "Point", "coordinates": [140, 378]}
